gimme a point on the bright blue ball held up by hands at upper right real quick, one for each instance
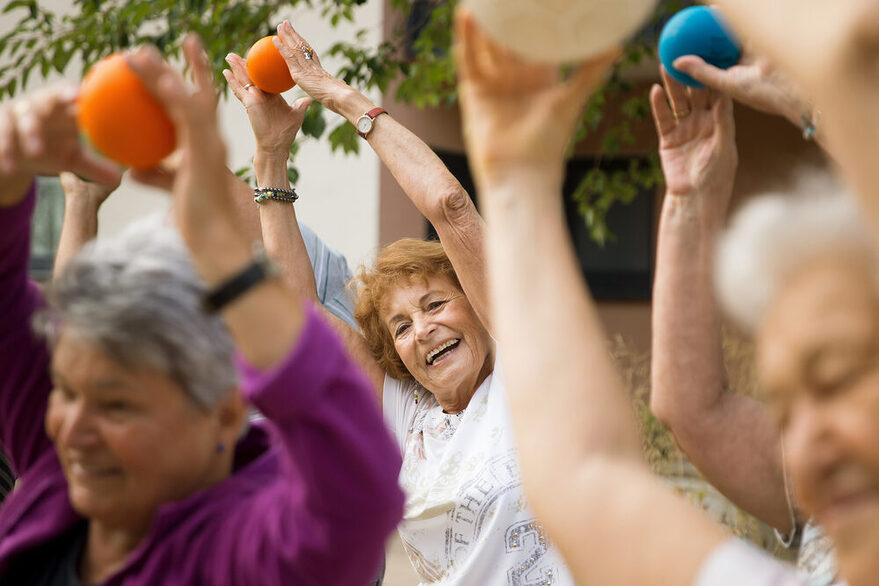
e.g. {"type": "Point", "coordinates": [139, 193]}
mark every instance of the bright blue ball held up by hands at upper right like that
{"type": "Point", "coordinates": [701, 31]}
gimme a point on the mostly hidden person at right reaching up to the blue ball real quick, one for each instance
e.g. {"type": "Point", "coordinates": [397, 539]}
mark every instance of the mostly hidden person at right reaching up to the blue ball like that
{"type": "Point", "coordinates": [732, 438]}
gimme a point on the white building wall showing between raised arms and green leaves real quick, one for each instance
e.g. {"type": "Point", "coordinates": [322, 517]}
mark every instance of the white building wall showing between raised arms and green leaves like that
{"type": "Point", "coordinates": [339, 193]}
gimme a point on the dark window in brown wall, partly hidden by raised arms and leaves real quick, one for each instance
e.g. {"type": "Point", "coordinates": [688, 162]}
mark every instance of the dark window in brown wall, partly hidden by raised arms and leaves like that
{"type": "Point", "coordinates": [621, 270]}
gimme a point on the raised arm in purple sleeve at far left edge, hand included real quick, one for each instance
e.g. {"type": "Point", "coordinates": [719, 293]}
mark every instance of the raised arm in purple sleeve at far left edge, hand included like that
{"type": "Point", "coordinates": [38, 134]}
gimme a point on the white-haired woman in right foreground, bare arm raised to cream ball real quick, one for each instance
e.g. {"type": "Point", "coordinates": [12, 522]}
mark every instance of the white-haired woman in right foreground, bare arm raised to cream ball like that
{"type": "Point", "coordinates": [817, 343]}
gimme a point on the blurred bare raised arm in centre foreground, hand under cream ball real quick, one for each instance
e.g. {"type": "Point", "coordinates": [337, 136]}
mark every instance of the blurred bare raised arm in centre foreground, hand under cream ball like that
{"type": "Point", "coordinates": [581, 466]}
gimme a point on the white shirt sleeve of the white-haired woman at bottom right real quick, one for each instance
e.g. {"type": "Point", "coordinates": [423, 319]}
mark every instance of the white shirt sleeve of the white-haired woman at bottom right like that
{"type": "Point", "coordinates": [735, 563]}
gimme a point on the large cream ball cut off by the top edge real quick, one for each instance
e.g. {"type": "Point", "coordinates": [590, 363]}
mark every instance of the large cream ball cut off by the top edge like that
{"type": "Point", "coordinates": [560, 31]}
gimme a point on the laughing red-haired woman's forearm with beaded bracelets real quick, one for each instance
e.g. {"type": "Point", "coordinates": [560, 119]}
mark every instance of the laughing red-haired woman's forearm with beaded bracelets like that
{"type": "Point", "coordinates": [280, 229]}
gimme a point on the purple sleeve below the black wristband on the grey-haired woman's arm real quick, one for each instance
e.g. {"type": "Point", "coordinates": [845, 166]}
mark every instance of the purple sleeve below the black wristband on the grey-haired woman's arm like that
{"type": "Point", "coordinates": [326, 521]}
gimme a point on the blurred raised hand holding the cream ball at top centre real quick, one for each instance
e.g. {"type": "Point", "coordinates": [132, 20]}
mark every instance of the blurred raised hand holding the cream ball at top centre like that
{"type": "Point", "coordinates": [516, 111]}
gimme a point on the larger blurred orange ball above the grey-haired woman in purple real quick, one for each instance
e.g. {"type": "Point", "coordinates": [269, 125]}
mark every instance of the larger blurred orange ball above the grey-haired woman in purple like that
{"type": "Point", "coordinates": [121, 117]}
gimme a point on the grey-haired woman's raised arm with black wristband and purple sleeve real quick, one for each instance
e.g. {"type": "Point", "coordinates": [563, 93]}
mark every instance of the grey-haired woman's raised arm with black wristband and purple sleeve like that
{"type": "Point", "coordinates": [307, 527]}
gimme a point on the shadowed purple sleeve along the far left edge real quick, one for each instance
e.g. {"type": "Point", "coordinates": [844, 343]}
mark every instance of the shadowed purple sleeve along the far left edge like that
{"type": "Point", "coordinates": [24, 358]}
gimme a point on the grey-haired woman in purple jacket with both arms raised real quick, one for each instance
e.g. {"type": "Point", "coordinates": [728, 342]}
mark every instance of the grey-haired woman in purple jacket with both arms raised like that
{"type": "Point", "coordinates": [126, 436]}
